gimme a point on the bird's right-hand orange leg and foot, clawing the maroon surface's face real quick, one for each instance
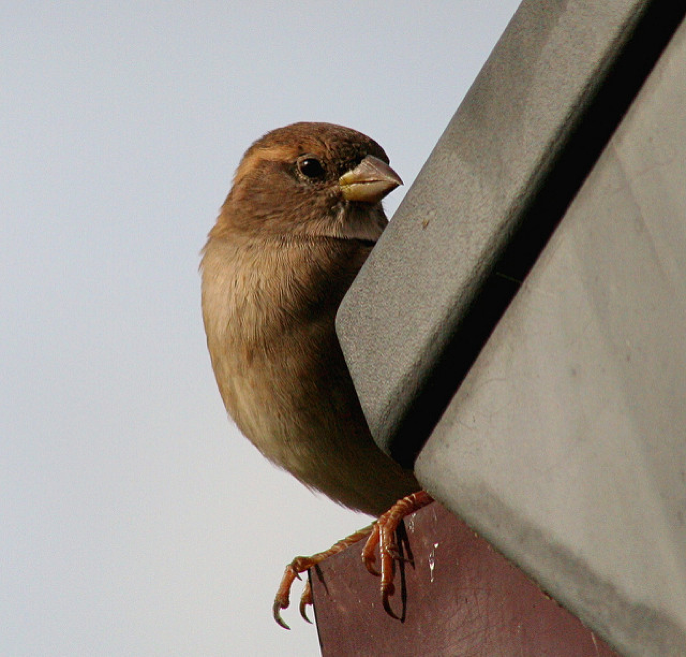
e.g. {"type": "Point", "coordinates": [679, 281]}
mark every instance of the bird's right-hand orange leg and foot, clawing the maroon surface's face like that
{"type": "Point", "coordinates": [383, 535]}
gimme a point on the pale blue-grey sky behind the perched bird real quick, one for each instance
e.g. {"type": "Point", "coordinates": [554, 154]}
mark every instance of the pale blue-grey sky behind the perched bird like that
{"type": "Point", "coordinates": [134, 518]}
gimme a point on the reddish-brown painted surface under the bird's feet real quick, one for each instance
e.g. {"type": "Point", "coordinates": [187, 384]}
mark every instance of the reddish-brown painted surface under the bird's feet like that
{"type": "Point", "coordinates": [459, 598]}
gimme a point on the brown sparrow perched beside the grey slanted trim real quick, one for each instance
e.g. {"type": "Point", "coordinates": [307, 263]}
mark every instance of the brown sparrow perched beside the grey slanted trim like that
{"type": "Point", "coordinates": [302, 216]}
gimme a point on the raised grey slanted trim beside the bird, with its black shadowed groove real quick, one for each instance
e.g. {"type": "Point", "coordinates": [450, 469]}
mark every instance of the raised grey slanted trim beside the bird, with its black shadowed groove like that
{"type": "Point", "coordinates": [515, 152]}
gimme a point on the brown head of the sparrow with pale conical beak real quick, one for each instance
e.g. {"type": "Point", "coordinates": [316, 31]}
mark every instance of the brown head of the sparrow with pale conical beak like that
{"type": "Point", "coordinates": [311, 179]}
